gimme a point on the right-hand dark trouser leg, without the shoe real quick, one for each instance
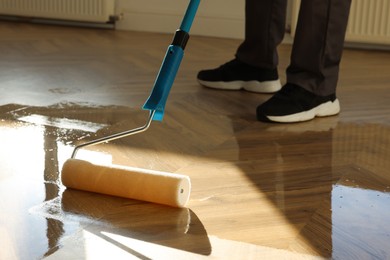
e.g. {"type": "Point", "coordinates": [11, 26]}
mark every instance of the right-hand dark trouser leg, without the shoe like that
{"type": "Point", "coordinates": [318, 45]}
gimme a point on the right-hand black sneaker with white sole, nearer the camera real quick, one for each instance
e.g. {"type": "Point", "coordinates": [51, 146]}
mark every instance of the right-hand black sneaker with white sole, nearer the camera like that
{"type": "Point", "coordinates": [295, 104]}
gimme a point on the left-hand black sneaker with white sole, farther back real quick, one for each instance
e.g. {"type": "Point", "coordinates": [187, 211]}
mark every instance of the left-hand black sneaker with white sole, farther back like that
{"type": "Point", "coordinates": [235, 75]}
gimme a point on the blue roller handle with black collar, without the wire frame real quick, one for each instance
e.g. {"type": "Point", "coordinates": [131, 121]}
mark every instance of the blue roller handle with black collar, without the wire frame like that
{"type": "Point", "coordinates": [170, 65]}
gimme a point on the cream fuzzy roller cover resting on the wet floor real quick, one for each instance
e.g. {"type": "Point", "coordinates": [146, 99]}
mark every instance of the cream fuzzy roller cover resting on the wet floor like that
{"type": "Point", "coordinates": [128, 182]}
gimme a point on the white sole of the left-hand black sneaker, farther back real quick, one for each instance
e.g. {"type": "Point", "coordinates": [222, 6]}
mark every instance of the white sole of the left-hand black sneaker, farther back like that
{"type": "Point", "coordinates": [252, 86]}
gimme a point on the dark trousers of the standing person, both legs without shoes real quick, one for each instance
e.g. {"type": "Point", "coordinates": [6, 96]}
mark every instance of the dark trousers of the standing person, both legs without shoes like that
{"type": "Point", "coordinates": [318, 41]}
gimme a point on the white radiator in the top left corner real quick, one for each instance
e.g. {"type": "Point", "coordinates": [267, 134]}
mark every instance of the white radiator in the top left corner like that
{"type": "Point", "coordinates": [73, 10]}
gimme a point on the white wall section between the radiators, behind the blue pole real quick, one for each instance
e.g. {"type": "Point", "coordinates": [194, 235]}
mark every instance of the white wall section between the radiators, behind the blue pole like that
{"type": "Point", "coordinates": [220, 18]}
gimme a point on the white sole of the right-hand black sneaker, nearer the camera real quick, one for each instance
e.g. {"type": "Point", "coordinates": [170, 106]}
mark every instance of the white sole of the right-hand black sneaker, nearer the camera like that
{"type": "Point", "coordinates": [326, 109]}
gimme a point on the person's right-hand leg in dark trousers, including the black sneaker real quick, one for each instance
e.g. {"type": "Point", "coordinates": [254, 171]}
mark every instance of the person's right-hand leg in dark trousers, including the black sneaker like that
{"type": "Point", "coordinates": [313, 73]}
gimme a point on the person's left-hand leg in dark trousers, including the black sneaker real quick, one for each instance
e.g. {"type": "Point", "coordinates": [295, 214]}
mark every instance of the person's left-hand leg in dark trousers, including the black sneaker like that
{"type": "Point", "coordinates": [255, 66]}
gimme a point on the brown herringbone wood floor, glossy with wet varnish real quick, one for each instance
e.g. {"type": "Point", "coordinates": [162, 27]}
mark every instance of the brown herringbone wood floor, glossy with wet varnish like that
{"type": "Point", "coordinates": [319, 189]}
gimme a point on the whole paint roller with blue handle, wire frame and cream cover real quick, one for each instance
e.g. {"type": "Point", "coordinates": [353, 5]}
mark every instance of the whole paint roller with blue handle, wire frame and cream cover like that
{"type": "Point", "coordinates": [135, 183]}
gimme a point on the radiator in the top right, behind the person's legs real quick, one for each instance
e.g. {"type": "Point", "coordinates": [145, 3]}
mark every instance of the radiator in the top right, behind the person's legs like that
{"type": "Point", "coordinates": [369, 21]}
